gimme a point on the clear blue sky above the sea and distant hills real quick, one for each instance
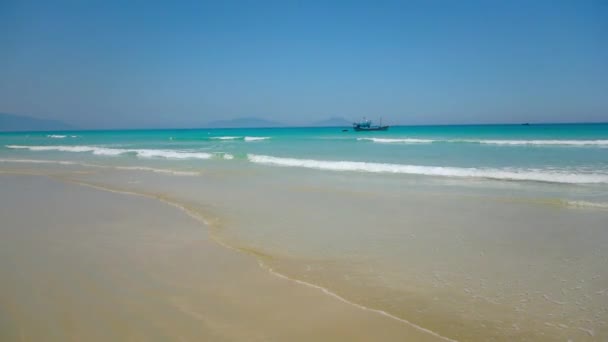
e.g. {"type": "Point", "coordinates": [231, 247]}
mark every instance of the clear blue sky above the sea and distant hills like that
{"type": "Point", "coordinates": [129, 64]}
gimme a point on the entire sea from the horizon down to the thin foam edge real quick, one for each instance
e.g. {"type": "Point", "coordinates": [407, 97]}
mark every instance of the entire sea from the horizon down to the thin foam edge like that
{"type": "Point", "coordinates": [472, 232]}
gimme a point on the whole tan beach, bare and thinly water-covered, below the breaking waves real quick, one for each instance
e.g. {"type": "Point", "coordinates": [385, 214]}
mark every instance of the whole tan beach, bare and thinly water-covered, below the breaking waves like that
{"type": "Point", "coordinates": [111, 252]}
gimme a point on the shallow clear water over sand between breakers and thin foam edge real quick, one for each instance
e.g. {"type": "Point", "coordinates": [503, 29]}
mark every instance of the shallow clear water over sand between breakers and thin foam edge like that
{"type": "Point", "coordinates": [239, 217]}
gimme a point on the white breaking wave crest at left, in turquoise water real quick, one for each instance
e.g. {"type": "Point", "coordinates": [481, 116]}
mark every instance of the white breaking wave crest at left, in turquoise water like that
{"type": "Point", "coordinates": [143, 153]}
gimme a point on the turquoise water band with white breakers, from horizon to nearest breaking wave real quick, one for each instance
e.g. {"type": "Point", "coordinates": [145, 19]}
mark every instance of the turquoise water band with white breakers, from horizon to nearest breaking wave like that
{"type": "Point", "coordinates": [558, 153]}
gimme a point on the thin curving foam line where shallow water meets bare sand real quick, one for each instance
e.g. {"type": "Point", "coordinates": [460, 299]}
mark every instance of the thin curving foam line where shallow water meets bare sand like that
{"type": "Point", "coordinates": [198, 217]}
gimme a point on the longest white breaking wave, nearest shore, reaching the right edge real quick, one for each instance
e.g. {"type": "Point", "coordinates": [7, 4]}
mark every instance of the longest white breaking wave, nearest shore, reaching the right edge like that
{"type": "Point", "coordinates": [496, 174]}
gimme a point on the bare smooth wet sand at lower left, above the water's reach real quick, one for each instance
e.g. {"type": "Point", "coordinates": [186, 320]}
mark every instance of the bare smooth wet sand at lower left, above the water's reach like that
{"type": "Point", "coordinates": [82, 264]}
